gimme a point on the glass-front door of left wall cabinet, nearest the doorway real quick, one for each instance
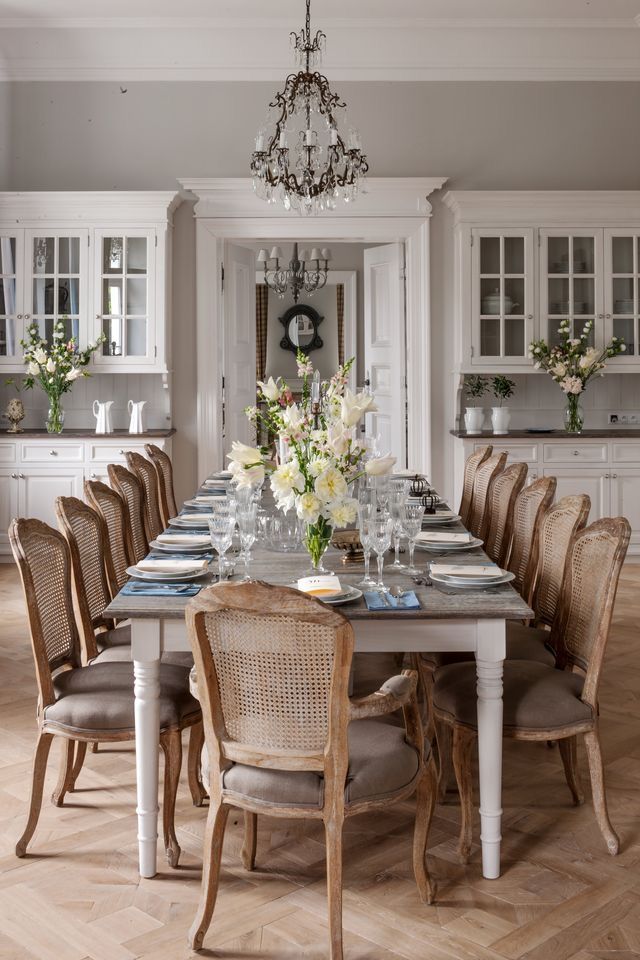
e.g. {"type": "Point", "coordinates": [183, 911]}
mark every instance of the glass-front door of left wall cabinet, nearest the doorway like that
{"type": "Point", "coordinates": [125, 297]}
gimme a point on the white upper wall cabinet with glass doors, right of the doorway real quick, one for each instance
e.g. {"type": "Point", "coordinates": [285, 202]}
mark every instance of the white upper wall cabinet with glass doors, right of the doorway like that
{"type": "Point", "coordinates": [527, 260]}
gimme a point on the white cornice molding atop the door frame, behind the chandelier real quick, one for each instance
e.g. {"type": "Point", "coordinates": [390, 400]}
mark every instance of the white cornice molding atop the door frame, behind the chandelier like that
{"type": "Point", "coordinates": [233, 197]}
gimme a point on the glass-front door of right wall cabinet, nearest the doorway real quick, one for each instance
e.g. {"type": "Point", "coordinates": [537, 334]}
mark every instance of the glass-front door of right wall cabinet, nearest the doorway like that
{"type": "Point", "coordinates": [502, 296]}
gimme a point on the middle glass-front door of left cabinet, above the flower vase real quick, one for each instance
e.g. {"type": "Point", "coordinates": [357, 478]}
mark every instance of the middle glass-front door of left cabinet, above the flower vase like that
{"type": "Point", "coordinates": [56, 282]}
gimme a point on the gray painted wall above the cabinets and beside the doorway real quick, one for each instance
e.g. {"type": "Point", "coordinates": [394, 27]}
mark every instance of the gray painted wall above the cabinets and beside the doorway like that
{"type": "Point", "coordinates": [88, 136]}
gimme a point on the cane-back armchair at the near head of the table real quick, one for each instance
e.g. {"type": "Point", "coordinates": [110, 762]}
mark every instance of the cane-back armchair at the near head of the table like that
{"type": "Point", "coordinates": [284, 738]}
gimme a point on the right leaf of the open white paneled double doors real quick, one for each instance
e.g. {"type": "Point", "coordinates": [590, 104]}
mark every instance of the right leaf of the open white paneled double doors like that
{"type": "Point", "coordinates": [384, 347]}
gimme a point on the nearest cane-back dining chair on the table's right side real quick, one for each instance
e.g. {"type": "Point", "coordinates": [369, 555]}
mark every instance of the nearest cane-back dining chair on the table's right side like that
{"type": "Point", "coordinates": [550, 702]}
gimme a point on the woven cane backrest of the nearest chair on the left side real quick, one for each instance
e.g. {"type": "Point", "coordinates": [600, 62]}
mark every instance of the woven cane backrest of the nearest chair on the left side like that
{"type": "Point", "coordinates": [44, 562]}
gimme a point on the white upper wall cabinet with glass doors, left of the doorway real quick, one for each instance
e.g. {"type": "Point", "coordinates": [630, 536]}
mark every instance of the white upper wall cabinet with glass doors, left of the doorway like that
{"type": "Point", "coordinates": [101, 261]}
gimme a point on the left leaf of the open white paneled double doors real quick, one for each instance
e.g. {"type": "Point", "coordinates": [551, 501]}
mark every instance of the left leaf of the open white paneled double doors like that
{"type": "Point", "coordinates": [239, 306]}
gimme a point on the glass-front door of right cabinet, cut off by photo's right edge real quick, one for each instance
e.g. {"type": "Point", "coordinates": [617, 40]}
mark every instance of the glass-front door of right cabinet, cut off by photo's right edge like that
{"type": "Point", "coordinates": [621, 292]}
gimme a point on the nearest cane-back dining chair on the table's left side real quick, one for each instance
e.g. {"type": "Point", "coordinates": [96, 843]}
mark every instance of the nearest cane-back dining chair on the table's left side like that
{"type": "Point", "coordinates": [83, 704]}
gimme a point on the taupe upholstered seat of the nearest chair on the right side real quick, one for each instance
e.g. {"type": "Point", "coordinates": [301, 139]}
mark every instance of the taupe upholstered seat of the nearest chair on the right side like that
{"type": "Point", "coordinates": [536, 697]}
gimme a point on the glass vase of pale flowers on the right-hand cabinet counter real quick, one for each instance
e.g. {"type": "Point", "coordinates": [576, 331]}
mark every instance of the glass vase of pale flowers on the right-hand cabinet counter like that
{"type": "Point", "coordinates": [572, 363]}
